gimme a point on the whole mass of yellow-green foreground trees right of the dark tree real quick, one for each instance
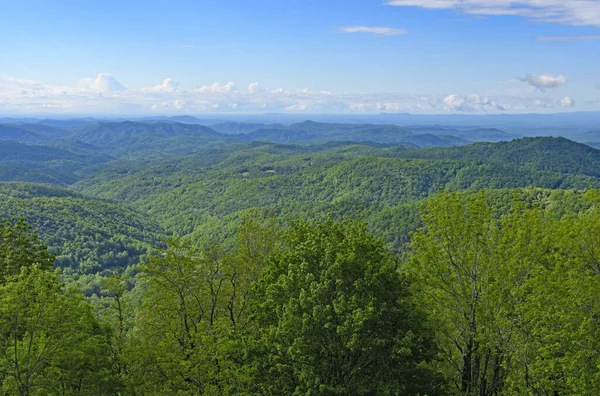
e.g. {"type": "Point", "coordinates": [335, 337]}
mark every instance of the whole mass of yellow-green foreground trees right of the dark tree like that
{"type": "Point", "coordinates": [513, 294]}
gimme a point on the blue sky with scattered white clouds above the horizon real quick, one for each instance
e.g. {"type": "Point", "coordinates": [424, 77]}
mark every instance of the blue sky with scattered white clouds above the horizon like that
{"type": "Point", "coordinates": [333, 56]}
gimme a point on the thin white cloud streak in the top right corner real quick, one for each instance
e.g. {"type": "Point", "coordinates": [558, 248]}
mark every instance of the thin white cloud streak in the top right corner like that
{"type": "Point", "coordinates": [569, 12]}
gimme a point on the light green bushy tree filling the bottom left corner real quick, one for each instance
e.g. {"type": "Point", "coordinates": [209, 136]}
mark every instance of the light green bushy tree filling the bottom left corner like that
{"type": "Point", "coordinates": [50, 341]}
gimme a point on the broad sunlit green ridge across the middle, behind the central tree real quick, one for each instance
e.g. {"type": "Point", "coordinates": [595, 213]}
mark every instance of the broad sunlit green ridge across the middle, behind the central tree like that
{"type": "Point", "coordinates": [206, 194]}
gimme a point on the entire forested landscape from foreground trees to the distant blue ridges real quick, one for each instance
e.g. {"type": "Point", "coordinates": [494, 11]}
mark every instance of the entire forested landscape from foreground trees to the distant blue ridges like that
{"type": "Point", "coordinates": [160, 257]}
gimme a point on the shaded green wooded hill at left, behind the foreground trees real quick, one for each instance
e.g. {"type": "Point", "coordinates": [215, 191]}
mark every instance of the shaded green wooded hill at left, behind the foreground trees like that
{"type": "Point", "coordinates": [88, 235]}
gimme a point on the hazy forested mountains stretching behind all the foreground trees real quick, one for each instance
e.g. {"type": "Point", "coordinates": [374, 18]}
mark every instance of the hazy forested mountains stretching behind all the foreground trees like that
{"type": "Point", "coordinates": [186, 174]}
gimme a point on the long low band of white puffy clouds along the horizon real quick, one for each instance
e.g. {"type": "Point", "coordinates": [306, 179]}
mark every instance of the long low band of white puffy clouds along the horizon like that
{"type": "Point", "coordinates": [21, 96]}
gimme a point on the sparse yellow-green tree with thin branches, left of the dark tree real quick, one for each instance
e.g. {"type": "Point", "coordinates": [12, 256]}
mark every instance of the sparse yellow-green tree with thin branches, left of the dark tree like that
{"type": "Point", "coordinates": [196, 306]}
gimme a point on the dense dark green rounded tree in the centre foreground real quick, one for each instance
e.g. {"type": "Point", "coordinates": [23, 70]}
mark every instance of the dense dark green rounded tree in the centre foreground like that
{"type": "Point", "coordinates": [334, 316]}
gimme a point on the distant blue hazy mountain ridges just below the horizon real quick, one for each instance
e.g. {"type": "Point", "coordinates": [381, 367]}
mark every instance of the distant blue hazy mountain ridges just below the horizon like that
{"type": "Point", "coordinates": [61, 151]}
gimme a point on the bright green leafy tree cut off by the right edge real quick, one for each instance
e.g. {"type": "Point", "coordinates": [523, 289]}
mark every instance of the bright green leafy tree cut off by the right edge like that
{"type": "Point", "coordinates": [560, 331]}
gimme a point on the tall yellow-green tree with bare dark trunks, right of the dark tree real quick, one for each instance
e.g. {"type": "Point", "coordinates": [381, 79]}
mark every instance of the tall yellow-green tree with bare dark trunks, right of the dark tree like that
{"type": "Point", "coordinates": [460, 261]}
